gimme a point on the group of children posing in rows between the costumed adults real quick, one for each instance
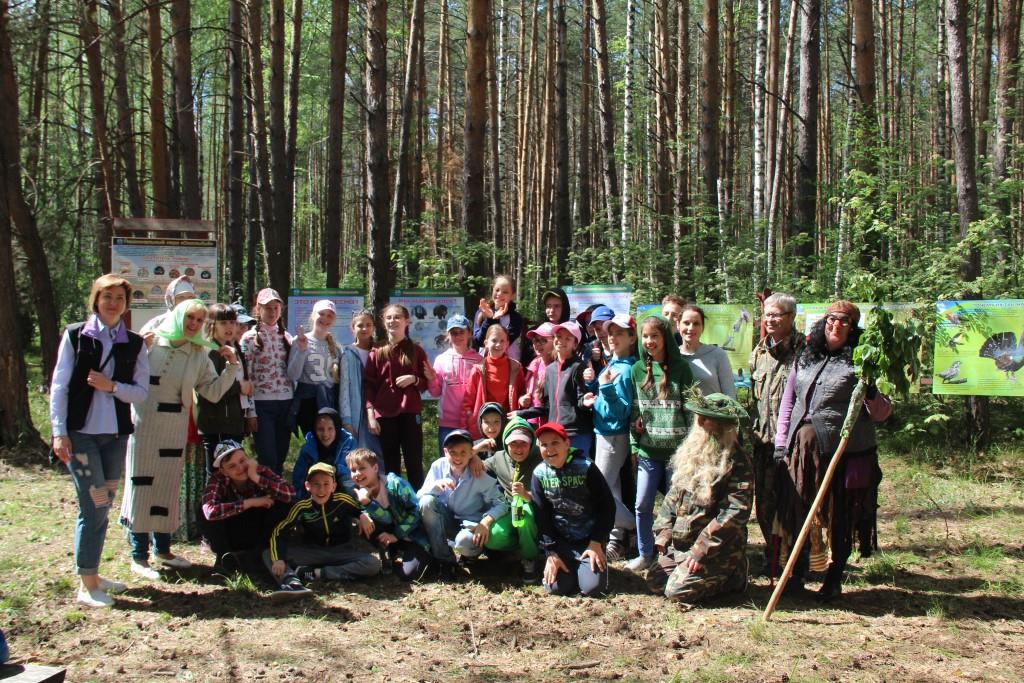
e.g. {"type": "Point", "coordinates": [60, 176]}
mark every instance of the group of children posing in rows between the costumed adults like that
{"type": "Point", "coordinates": [539, 443]}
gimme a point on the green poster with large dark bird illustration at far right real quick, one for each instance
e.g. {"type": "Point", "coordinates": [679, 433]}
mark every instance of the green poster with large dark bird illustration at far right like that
{"type": "Point", "coordinates": [979, 349]}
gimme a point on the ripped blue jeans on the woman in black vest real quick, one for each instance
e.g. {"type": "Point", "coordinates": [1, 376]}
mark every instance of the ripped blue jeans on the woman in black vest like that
{"type": "Point", "coordinates": [97, 464]}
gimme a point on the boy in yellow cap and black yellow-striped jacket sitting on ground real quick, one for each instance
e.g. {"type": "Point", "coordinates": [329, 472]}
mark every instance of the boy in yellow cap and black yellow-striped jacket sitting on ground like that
{"type": "Point", "coordinates": [325, 549]}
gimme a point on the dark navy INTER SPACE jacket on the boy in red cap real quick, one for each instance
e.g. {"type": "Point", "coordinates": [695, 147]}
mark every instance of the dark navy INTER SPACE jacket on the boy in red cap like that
{"type": "Point", "coordinates": [573, 505]}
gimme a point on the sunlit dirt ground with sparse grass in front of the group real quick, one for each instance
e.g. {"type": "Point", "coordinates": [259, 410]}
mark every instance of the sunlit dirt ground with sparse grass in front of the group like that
{"type": "Point", "coordinates": [944, 601]}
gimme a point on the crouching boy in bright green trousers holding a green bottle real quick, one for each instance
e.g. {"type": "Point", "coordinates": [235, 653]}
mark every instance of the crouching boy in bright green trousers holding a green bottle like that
{"type": "Point", "coordinates": [514, 467]}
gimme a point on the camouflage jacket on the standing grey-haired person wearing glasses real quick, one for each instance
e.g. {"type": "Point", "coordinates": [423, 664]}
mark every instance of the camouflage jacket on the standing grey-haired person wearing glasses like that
{"type": "Point", "coordinates": [771, 368]}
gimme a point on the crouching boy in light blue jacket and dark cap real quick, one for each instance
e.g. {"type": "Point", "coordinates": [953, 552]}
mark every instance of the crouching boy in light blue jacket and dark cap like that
{"type": "Point", "coordinates": [458, 507]}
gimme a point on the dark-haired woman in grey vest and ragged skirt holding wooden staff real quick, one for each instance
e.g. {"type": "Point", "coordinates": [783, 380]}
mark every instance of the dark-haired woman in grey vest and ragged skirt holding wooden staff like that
{"type": "Point", "coordinates": [810, 419]}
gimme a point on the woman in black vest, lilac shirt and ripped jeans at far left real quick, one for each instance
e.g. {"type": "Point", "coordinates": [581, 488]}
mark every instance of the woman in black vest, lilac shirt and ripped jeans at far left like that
{"type": "Point", "coordinates": [102, 369]}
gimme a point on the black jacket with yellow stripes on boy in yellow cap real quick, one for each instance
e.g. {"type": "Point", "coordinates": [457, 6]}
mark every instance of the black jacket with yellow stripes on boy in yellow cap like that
{"type": "Point", "coordinates": [328, 525]}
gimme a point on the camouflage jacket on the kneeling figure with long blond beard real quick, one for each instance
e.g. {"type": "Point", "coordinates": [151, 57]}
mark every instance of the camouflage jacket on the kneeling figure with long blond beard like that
{"type": "Point", "coordinates": [714, 535]}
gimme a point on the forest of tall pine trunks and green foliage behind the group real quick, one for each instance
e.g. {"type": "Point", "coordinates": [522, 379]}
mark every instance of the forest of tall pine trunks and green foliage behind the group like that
{"type": "Point", "coordinates": [869, 150]}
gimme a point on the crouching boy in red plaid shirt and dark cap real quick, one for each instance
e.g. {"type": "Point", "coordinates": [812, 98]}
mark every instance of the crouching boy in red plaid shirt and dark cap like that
{"type": "Point", "coordinates": [242, 504]}
